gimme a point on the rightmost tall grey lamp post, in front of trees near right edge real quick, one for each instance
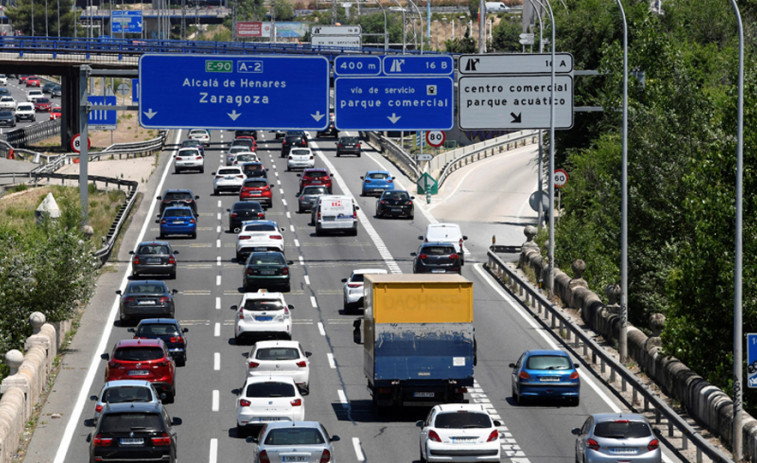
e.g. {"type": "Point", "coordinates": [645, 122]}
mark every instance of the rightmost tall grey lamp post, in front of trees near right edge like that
{"type": "Point", "coordinates": [738, 368]}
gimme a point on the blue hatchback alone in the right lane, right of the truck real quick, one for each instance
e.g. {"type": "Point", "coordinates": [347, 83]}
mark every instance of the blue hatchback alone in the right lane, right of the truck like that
{"type": "Point", "coordinates": [545, 374]}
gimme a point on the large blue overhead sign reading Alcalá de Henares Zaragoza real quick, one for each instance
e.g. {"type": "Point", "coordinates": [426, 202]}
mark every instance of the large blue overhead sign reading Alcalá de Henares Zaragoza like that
{"type": "Point", "coordinates": [234, 92]}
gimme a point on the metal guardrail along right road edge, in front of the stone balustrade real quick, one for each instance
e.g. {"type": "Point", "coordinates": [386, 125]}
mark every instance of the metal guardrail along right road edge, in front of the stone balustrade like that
{"type": "Point", "coordinates": [574, 338]}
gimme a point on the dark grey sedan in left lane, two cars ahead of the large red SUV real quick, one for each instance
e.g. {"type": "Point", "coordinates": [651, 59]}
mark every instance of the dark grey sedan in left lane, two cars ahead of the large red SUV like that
{"type": "Point", "coordinates": [146, 299]}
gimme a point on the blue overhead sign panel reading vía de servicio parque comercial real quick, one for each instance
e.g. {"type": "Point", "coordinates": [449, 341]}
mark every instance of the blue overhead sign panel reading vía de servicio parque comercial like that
{"type": "Point", "coordinates": [394, 103]}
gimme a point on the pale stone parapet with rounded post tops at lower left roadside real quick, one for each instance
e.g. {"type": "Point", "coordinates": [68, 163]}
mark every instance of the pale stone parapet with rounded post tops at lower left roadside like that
{"type": "Point", "coordinates": [24, 387]}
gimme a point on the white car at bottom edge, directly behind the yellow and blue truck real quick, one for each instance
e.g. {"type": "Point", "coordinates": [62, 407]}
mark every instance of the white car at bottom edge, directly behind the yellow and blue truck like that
{"type": "Point", "coordinates": [451, 430]}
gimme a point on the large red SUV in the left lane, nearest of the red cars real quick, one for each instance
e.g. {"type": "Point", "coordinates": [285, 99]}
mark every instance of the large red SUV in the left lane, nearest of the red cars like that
{"type": "Point", "coordinates": [145, 359]}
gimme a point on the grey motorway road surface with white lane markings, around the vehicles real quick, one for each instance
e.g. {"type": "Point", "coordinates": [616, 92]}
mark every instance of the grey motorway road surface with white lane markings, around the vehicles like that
{"type": "Point", "coordinates": [488, 198]}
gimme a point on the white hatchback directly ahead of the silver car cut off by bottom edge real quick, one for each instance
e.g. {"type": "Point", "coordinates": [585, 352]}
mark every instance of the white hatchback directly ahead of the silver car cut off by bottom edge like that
{"type": "Point", "coordinates": [264, 399]}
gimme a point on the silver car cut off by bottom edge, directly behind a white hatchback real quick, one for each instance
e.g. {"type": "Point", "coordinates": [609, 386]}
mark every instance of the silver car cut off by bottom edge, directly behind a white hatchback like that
{"type": "Point", "coordinates": [302, 441]}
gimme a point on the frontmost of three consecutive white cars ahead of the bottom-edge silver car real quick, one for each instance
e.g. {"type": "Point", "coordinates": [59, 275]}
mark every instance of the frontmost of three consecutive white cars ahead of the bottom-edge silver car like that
{"type": "Point", "coordinates": [263, 315]}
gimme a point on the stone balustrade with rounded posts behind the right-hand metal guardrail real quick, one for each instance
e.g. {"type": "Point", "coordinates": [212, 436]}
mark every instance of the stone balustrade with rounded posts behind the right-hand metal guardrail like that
{"type": "Point", "coordinates": [709, 405]}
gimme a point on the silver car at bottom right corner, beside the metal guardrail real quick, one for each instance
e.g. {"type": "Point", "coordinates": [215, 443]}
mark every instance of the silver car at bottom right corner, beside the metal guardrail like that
{"type": "Point", "coordinates": [612, 437]}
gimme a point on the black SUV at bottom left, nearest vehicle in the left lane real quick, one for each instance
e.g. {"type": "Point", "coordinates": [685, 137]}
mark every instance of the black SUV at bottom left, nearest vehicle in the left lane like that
{"type": "Point", "coordinates": [134, 431]}
